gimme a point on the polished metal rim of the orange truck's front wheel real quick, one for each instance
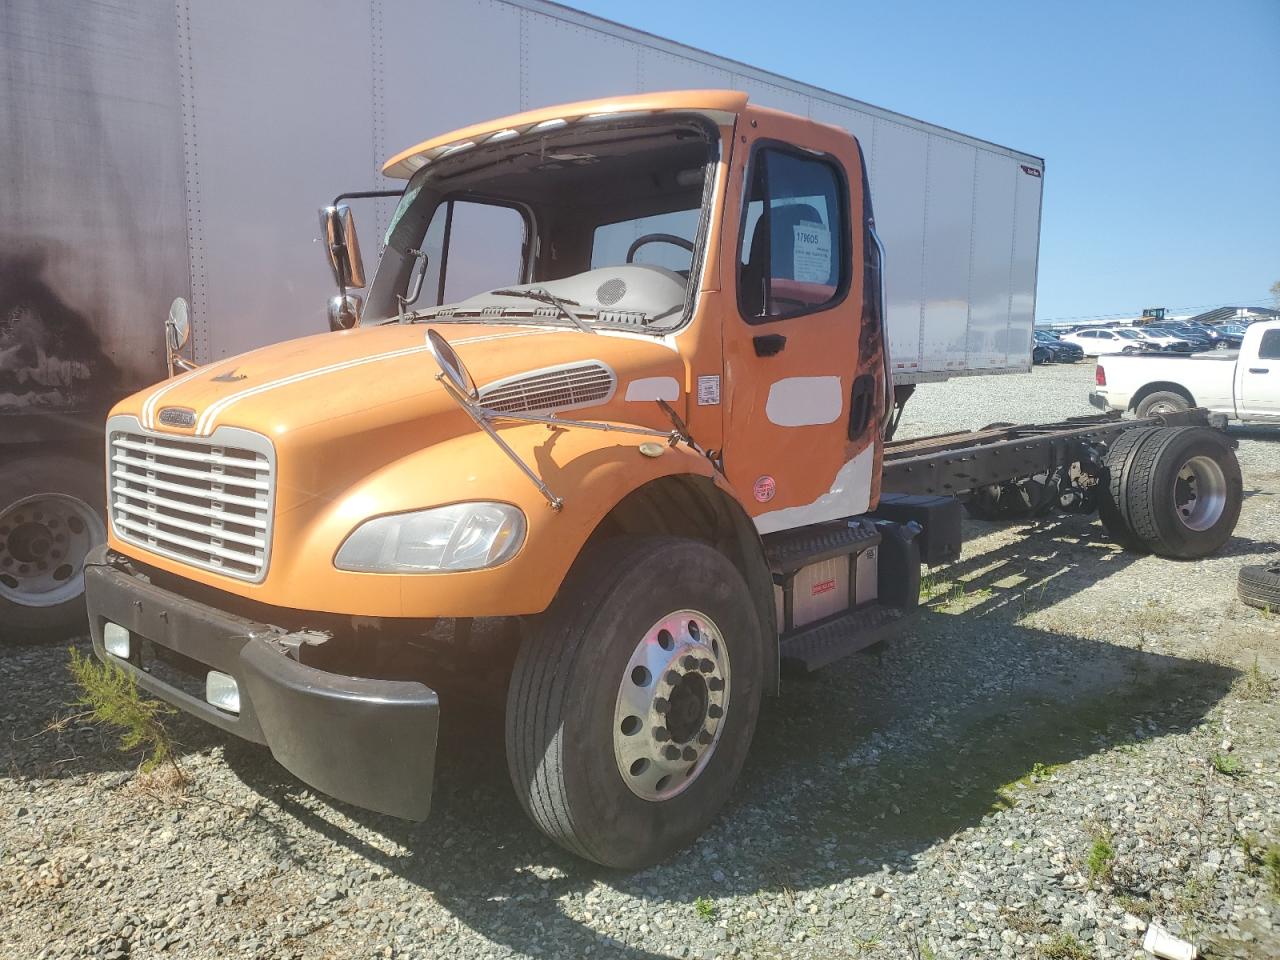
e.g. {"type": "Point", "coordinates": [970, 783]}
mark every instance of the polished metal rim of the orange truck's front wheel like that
{"type": "Point", "coordinates": [671, 707]}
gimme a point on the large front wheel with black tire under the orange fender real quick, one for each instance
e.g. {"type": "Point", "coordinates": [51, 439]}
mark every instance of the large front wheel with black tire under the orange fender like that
{"type": "Point", "coordinates": [569, 687]}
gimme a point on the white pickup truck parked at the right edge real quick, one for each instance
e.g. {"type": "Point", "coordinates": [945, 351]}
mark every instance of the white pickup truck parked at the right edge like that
{"type": "Point", "coordinates": [1241, 385]}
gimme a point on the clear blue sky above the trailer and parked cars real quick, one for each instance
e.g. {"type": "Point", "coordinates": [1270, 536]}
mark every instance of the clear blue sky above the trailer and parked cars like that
{"type": "Point", "coordinates": [1159, 120]}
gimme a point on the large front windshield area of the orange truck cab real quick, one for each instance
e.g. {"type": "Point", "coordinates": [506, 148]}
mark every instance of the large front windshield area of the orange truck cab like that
{"type": "Point", "coordinates": [591, 225]}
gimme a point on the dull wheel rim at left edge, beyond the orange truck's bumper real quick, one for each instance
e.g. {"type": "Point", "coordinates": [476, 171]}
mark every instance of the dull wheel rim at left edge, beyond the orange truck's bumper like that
{"type": "Point", "coordinates": [44, 541]}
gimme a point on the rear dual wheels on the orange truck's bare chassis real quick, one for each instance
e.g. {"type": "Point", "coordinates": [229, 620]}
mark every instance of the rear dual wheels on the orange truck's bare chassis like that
{"type": "Point", "coordinates": [1180, 492]}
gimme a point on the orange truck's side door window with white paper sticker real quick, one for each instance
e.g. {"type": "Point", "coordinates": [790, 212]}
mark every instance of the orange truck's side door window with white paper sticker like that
{"type": "Point", "coordinates": [794, 253]}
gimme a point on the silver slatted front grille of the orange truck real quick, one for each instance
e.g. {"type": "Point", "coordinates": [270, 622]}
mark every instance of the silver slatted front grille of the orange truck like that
{"type": "Point", "coordinates": [205, 502]}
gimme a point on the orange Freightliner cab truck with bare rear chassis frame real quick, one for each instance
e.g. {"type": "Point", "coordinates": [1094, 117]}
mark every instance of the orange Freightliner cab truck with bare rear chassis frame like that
{"type": "Point", "coordinates": [630, 468]}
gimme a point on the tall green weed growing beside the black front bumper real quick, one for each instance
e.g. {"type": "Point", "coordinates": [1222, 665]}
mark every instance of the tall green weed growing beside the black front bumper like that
{"type": "Point", "coordinates": [113, 701]}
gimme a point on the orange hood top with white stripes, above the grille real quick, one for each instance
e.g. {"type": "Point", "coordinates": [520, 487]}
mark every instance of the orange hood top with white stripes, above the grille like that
{"type": "Point", "coordinates": [346, 404]}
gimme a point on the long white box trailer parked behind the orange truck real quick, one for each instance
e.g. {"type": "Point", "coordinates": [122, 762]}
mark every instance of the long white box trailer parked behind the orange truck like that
{"type": "Point", "coordinates": [153, 149]}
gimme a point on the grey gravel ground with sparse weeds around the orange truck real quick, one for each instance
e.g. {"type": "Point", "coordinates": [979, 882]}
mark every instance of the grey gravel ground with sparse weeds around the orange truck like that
{"type": "Point", "coordinates": [1059, 705]}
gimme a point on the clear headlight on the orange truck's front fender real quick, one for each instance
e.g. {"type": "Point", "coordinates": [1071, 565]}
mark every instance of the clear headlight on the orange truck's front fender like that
{"type": "Point", "coordinates": [460, 537]}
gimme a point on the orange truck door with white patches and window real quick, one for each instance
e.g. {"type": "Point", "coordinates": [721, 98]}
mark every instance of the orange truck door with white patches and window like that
{"type": "Point", "coordinates": [803, 390]}
